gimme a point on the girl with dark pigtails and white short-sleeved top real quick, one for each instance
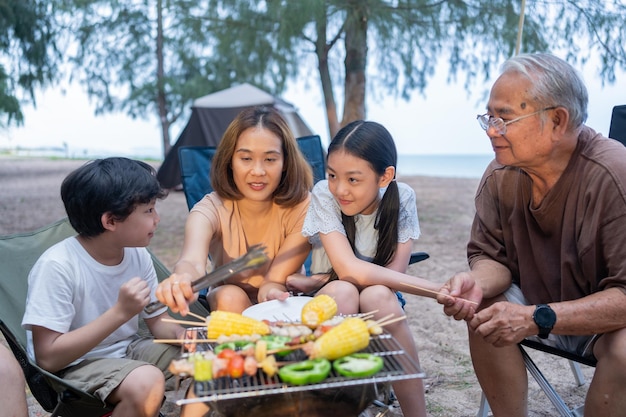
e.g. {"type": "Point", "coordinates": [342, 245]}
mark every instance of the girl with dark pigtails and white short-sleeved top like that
{"type": "Point", "coordinates": [362, 223]}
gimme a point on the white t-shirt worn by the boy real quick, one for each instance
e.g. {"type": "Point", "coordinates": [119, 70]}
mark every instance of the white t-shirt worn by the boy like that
{"type": "Point", "coordinates": [67, 289]}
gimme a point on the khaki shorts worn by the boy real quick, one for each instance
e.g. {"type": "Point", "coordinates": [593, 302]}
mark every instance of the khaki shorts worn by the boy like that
{"type": "Point", "coordinates": [101, 376]}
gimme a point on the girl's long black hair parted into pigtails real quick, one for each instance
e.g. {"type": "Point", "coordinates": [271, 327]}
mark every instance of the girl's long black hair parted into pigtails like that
{"type": "Point", "coordinates": [373, 143]}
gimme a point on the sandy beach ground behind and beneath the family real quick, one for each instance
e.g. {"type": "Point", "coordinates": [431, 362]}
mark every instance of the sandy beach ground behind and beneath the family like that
{"type": "Point", "coordinates": [29, 198]}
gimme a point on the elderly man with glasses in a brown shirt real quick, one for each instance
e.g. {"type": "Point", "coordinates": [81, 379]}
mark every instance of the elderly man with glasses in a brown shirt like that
{"type": "Point", "coordinates": [547, 251]}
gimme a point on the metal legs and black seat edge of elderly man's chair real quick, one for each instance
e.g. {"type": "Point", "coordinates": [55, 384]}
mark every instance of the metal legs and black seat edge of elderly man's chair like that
{"type": "Point", "coordinates": [542, 381]}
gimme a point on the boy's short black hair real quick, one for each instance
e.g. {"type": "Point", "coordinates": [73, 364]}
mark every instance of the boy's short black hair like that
{"type": "Point", "coordinates": [112, 185]}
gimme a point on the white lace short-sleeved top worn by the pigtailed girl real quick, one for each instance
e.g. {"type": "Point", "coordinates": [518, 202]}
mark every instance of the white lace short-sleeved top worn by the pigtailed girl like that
{"type": "Point", "coordinates": [324, 216]}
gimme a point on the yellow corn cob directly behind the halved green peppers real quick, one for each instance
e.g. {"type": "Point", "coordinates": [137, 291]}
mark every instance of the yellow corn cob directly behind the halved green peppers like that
{"type": "Point", "coordinates": [350, 336]}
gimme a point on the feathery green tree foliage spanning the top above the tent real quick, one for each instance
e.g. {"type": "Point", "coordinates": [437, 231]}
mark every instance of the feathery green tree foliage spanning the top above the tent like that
{"type": "Point", "coordinates": [147, 57]}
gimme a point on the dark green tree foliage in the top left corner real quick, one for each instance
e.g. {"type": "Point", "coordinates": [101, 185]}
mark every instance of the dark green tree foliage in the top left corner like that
{"type": "Point", "coordinates": [28, 57]}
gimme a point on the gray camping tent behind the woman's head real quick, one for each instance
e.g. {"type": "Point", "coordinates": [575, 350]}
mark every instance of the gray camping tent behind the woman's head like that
{"type": "Point", "coordinates": [211, 115]}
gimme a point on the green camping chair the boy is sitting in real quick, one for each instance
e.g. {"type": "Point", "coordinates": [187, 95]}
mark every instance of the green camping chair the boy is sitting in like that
{"type": "Point", "coordinates": [18, 253]}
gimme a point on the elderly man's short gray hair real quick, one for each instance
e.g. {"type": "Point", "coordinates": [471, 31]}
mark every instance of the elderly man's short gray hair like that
{"type": "Point", "coordinates": [554, 83]}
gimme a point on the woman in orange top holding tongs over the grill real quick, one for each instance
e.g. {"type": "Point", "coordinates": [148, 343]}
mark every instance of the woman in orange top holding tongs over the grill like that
{"type": "Point", "coordinates": [261, 186]}
